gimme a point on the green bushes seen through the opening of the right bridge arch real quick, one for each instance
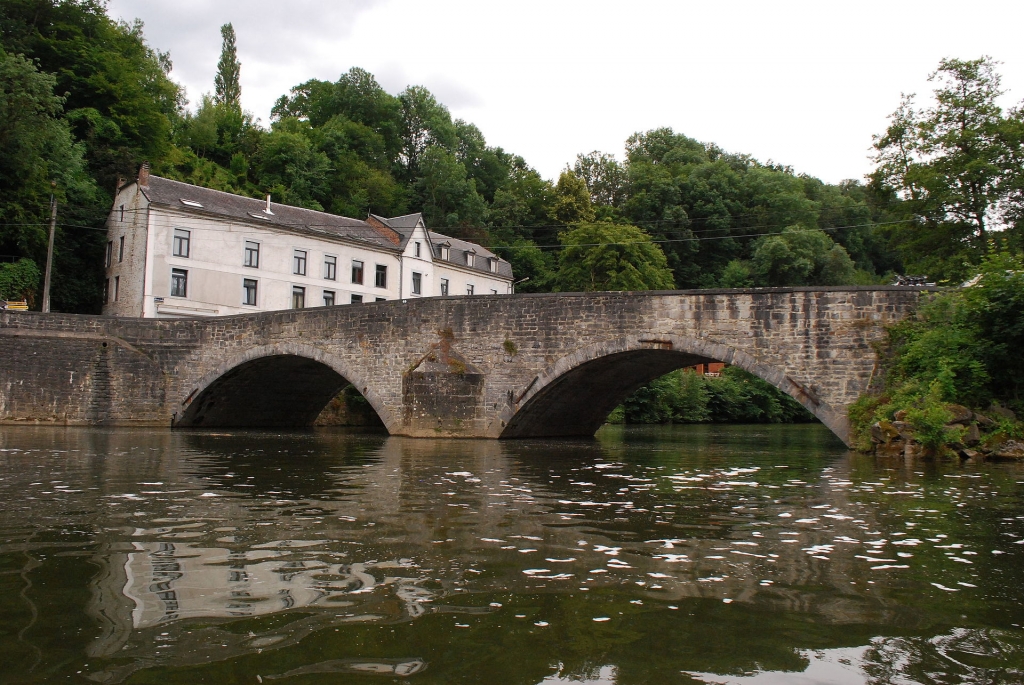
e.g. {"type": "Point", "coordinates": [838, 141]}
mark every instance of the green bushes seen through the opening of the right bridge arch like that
{"type": "Point", "coordinates": [685, 397]}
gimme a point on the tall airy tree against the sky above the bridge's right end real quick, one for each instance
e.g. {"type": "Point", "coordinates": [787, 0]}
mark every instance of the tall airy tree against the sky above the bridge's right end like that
{"type": "Point", "coordinates": [950, 170]}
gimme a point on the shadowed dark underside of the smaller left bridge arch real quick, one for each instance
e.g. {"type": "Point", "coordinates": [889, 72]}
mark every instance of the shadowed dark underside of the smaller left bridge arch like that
{"type": "Point", "coordinates": [279, 392]}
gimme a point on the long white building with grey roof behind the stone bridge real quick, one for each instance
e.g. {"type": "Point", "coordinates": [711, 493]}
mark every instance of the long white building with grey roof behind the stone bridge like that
{"type": "Point", "coordinates": [180, 250]}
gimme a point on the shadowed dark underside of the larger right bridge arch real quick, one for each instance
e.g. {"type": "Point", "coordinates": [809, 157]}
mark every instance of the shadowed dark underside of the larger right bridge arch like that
{"type": "Point", "coordinates": [579, 402]}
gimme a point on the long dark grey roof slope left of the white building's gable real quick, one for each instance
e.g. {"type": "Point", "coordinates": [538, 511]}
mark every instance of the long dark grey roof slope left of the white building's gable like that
{"type": "Point", "coordinates": [169, 193]}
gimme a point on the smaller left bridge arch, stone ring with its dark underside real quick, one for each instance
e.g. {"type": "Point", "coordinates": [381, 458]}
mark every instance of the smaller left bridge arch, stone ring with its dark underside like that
{"type": "Point", "coordinates": [280, 386]}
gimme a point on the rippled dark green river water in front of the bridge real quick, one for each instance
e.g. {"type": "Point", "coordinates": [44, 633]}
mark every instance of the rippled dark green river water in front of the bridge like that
{"type": "Point", "coordinates": [659, 555]}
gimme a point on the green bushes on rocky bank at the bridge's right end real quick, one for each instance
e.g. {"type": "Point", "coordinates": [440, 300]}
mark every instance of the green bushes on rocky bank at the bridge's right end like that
{"type": "Point", "coordinates": [954, 374]}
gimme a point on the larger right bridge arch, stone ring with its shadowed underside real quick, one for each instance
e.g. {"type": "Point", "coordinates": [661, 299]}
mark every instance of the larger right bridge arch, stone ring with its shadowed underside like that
{"type": "Point", "coordinates": [575, 396]}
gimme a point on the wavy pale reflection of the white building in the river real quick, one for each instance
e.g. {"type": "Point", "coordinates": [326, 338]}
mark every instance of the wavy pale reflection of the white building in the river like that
{"type": "Point", "coordinates": [173, 581]}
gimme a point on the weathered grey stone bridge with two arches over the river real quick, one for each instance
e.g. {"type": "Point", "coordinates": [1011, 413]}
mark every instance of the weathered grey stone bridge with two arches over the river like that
{"type": "Point", "coordinates": [522, 366]}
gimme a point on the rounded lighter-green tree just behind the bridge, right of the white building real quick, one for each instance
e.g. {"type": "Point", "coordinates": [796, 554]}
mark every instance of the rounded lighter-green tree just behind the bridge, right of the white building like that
{"type": "Point", "coordinates": [607, 256]}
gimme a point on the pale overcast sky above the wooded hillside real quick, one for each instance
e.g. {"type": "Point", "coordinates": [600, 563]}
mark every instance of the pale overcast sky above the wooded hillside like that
{"type": "Point", "coordinates": [799, 83]}
